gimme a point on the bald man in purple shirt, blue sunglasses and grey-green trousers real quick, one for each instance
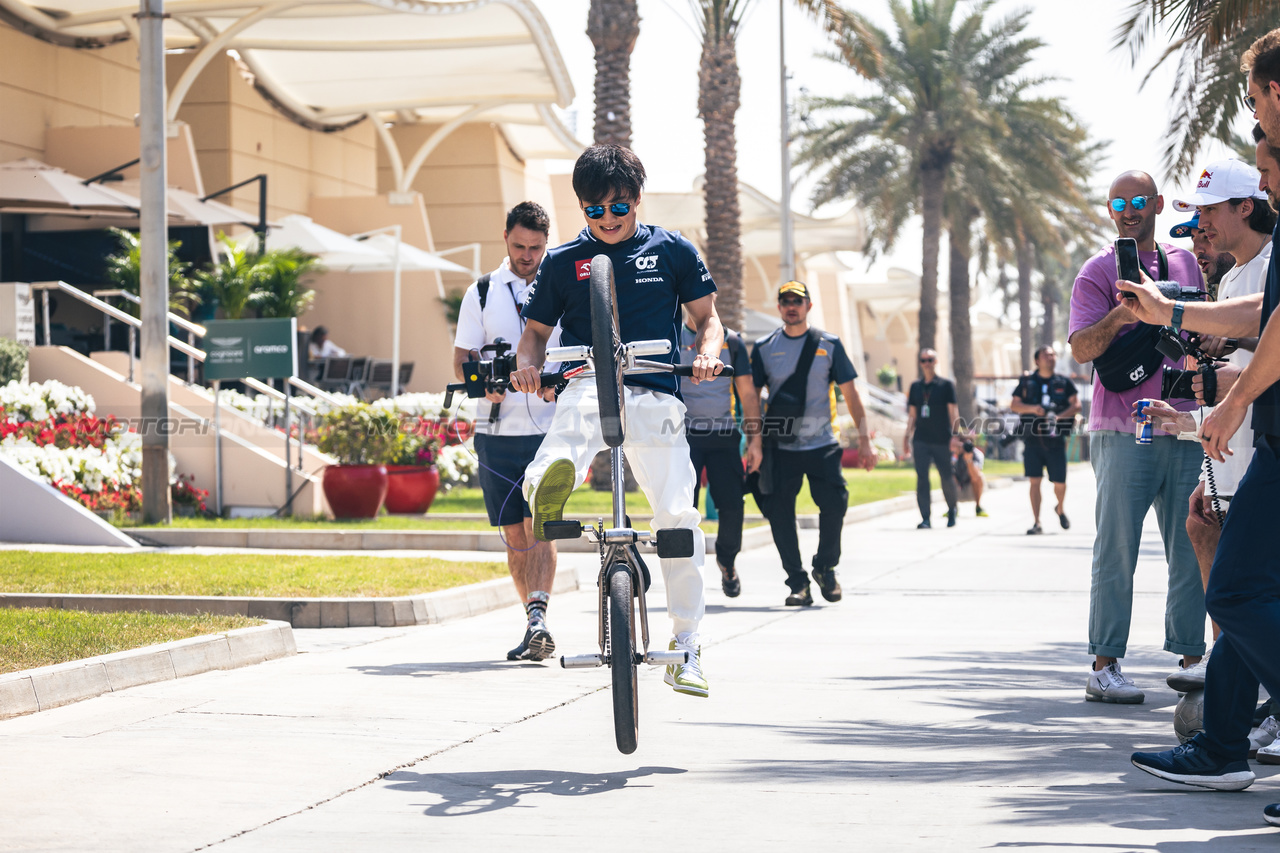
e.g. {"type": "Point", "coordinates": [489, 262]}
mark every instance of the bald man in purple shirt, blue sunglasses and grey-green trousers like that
{"type": "Point", "coordinates": [1131, 478]}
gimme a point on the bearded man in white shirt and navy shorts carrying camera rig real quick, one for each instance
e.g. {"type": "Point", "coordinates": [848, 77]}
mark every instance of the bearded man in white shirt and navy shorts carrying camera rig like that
{"type": "Point", "coordinates": [506, 441]}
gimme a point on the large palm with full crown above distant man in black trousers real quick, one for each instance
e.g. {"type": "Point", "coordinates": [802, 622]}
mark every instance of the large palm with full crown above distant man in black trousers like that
{"type": "Point", "coordinates": [894, 152]}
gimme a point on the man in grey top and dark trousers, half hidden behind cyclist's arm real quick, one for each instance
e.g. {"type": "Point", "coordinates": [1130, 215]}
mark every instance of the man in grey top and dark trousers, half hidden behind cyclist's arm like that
{"type": "Point", "coordinates": [716, 441]}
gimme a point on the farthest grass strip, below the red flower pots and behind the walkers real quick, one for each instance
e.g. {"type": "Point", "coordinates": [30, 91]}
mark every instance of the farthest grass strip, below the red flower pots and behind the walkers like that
{"type": "Point", "coordinates": [885, 482]}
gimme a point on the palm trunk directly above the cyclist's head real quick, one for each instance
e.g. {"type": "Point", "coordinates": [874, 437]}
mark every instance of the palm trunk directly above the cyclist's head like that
{"type": "Point", "coordinates": [614, 26]}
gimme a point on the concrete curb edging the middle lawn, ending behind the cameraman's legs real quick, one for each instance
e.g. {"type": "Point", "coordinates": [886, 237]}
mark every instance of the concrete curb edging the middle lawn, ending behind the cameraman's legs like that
{"type": "Point", "coordinates": [310, 613]}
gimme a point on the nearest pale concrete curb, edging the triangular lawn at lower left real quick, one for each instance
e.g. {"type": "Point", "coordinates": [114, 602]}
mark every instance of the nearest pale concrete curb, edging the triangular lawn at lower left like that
{"type": "Point", "coordinates": [51, 687]}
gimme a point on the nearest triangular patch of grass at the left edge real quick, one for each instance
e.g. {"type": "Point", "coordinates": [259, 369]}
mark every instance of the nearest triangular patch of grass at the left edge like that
{"type": "Point", "coordinates": [40, 637]}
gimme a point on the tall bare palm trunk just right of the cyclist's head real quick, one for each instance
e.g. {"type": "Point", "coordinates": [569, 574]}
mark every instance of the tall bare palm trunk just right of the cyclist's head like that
{"type": "Point", "coordinates": [719, 98]}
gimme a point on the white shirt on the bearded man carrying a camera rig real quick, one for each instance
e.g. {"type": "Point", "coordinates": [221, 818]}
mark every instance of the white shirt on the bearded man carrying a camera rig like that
{"type": "Point", "coordinates": [520, 414]}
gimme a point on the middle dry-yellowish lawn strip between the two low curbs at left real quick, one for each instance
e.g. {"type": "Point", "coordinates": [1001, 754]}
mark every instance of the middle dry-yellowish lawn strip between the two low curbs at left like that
{"type": "Point", "coordinates": [235, 574]}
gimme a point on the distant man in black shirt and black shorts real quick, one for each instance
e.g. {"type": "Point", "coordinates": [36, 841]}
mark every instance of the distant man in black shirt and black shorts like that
{"type": "Point", "coordinates": [1048, 404]}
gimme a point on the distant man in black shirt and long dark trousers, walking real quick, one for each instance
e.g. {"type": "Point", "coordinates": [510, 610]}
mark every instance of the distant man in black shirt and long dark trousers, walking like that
{"type": "Point", "coordinates": [931, 416]}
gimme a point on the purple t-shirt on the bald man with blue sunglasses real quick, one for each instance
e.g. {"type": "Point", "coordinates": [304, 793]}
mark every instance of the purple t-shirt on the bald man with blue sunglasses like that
{"type": "Point", "coordinates": [1092, 298]}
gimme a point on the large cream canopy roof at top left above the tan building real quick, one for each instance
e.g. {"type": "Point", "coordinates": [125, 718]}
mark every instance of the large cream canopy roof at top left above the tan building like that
{"type": "Point", "coordinates": [332, 62]}
